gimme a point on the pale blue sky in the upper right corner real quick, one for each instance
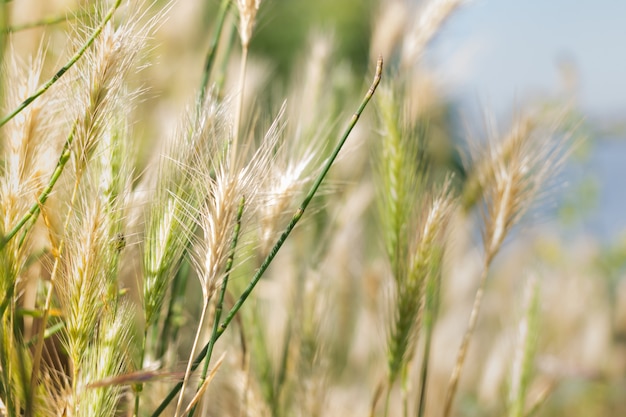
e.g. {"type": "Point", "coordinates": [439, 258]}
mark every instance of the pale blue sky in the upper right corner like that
{"type": "Point", "coordinates": [499, 52]}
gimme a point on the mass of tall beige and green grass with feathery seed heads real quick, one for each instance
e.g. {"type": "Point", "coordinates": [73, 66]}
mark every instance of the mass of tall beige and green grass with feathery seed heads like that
{"type": "Point", "coordinates": [266, 245]}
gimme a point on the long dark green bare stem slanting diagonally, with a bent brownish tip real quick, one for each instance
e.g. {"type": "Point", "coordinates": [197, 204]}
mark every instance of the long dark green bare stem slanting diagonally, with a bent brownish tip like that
{"type": "Point", "coordinates": [297, 216]}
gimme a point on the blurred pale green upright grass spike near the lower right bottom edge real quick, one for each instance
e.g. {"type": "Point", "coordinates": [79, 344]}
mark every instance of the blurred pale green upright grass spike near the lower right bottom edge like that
{"type": "Point", "coordinates": [525, 351]}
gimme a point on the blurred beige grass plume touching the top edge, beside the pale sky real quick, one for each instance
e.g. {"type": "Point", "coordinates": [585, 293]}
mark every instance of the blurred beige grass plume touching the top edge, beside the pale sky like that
{"type": "Point", "coordinates": [430, 20]}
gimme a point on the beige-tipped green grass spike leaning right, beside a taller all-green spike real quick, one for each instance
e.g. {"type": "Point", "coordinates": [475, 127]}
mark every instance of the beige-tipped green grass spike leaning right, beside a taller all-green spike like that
{"type": "Point", "coordinates": [423, 263]}
